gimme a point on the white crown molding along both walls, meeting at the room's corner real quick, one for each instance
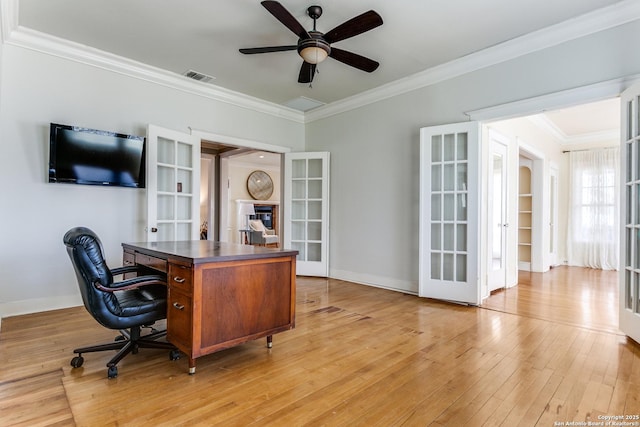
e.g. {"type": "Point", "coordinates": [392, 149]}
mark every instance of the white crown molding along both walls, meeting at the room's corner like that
{"type": "Point", "coordinates": [602, 19]}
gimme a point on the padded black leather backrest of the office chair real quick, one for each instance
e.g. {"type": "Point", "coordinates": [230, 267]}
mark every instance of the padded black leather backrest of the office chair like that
{"type": "Point", "coordinates": [85, 251]}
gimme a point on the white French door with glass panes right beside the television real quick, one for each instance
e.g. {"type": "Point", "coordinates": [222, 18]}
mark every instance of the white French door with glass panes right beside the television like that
{"type": "Point", "coordinates": [173, 185]}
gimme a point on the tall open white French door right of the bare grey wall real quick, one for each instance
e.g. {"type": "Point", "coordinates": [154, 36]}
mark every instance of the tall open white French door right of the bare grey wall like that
{"type": "Point", "coordinates": [449, 212]}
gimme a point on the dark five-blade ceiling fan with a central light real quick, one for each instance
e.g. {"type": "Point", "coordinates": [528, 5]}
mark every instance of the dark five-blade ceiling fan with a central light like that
{"type": "Point", "coordinates": [314, 46]}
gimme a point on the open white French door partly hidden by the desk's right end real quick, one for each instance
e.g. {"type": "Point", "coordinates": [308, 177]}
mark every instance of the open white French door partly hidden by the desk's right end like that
{"type": "Point", "coordinates": [306, 211]}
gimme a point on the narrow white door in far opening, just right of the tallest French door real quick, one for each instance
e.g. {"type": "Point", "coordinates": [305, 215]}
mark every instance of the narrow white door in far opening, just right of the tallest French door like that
{"type": "Point", "coordinates": [497, 212]}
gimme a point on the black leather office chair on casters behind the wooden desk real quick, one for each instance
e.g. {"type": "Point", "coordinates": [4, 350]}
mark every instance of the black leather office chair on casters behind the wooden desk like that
{"type": "Point", "coordinates": [127, 305]}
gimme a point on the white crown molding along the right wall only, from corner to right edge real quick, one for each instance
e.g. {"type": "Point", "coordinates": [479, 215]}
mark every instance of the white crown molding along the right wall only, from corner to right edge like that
{"type": "Point", "coordinates": [599, 20]}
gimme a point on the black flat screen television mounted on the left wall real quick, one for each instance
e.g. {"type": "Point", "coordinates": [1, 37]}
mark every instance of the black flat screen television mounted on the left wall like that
{"type": "Point", "coordinates": [80, 155]}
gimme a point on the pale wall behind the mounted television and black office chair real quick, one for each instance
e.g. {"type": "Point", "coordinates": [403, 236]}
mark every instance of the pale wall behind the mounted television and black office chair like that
{"type": "Point", "coordinates": [38, 89]}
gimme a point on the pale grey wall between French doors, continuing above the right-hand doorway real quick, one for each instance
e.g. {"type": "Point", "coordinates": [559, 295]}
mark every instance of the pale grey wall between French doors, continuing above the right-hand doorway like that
{"type": "Point", "coordinates": [375, 148]}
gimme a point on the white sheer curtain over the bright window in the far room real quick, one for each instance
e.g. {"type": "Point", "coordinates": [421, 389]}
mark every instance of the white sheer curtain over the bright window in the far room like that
{"type": "Point", "coordinates": [593, 235]}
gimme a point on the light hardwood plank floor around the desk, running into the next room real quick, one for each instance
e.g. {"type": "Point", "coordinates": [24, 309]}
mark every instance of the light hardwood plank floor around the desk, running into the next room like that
{"type": "Point", "coordinates": [541, 354]}
